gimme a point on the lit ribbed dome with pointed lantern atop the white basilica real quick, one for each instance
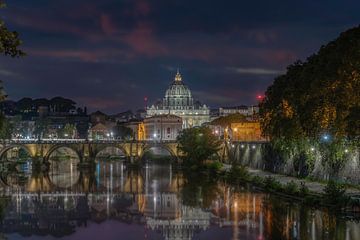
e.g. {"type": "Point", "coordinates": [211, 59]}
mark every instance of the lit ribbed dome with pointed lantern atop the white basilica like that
{"type": "Point", "coordinates": [178, 95]}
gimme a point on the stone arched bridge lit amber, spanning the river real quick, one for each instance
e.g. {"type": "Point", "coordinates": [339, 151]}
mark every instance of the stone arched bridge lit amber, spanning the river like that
{"type": "Point", "coordinates": [88, 150]}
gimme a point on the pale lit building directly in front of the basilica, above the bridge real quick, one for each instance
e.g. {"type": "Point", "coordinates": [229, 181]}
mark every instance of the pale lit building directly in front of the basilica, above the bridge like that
{"type": "Point", "coordinates": [162, 127]}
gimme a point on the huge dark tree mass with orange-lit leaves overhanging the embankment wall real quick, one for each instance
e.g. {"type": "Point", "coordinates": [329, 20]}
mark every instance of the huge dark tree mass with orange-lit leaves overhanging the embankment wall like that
{"type": "Point", "coordinates": [314, 109]}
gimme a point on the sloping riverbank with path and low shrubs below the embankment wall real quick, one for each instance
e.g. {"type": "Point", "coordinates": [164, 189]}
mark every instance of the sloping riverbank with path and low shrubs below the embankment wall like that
{"type": "Point", "coordinates": [311, 192]}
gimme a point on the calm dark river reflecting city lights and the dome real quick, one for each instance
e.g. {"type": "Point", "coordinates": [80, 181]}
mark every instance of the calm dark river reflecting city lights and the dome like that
{"type": "Point", "coordinates": [153, 202]}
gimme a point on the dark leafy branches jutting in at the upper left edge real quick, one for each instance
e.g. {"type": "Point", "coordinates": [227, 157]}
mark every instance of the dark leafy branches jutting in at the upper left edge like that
{"type": "Point", "coordinates": [9, 40]}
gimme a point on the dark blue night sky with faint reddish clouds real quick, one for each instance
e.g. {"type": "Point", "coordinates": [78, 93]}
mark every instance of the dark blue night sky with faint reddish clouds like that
{"type": "Point", "coordinates": [109, 54]}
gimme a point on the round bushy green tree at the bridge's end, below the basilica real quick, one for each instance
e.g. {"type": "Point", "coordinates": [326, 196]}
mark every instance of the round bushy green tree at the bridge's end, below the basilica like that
{"type": "Point", "coordinates": [198, 144]}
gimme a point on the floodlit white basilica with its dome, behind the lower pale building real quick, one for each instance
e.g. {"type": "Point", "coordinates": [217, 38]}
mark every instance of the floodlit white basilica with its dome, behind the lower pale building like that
{"type": "Point", "coordinates": [178, 101]}
